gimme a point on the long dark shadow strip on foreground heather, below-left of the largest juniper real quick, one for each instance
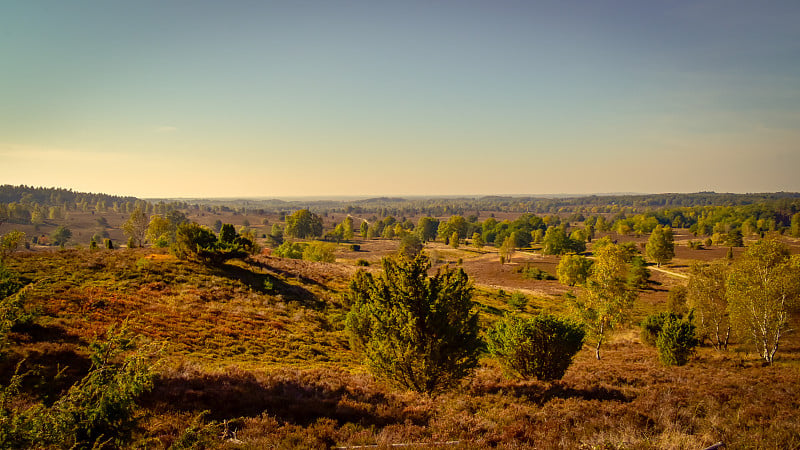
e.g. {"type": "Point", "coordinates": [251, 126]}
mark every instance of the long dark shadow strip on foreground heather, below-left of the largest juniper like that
{"type": "Point", "coordinates": [296, 401]}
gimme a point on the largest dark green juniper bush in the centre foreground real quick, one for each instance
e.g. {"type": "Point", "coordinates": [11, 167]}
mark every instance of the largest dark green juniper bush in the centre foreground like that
{"type": "Point", "coordinates": [417, 331]}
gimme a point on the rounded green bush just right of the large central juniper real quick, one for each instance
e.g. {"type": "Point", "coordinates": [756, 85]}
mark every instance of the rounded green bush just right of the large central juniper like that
{"type": "Point", "coordinates": [541, 347]}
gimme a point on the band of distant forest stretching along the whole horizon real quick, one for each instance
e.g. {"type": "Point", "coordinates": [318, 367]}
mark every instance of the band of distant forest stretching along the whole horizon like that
{"type": "Point", "coordinates": [703, 213]}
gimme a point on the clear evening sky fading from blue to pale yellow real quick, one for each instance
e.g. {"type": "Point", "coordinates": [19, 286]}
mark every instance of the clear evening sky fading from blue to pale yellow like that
{"type": "Point", "coordinates": [179, 98]}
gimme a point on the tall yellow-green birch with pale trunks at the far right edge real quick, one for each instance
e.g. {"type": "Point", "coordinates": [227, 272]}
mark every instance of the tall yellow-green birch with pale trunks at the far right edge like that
{"type": "Point", "coordinates": [763, 286]}
